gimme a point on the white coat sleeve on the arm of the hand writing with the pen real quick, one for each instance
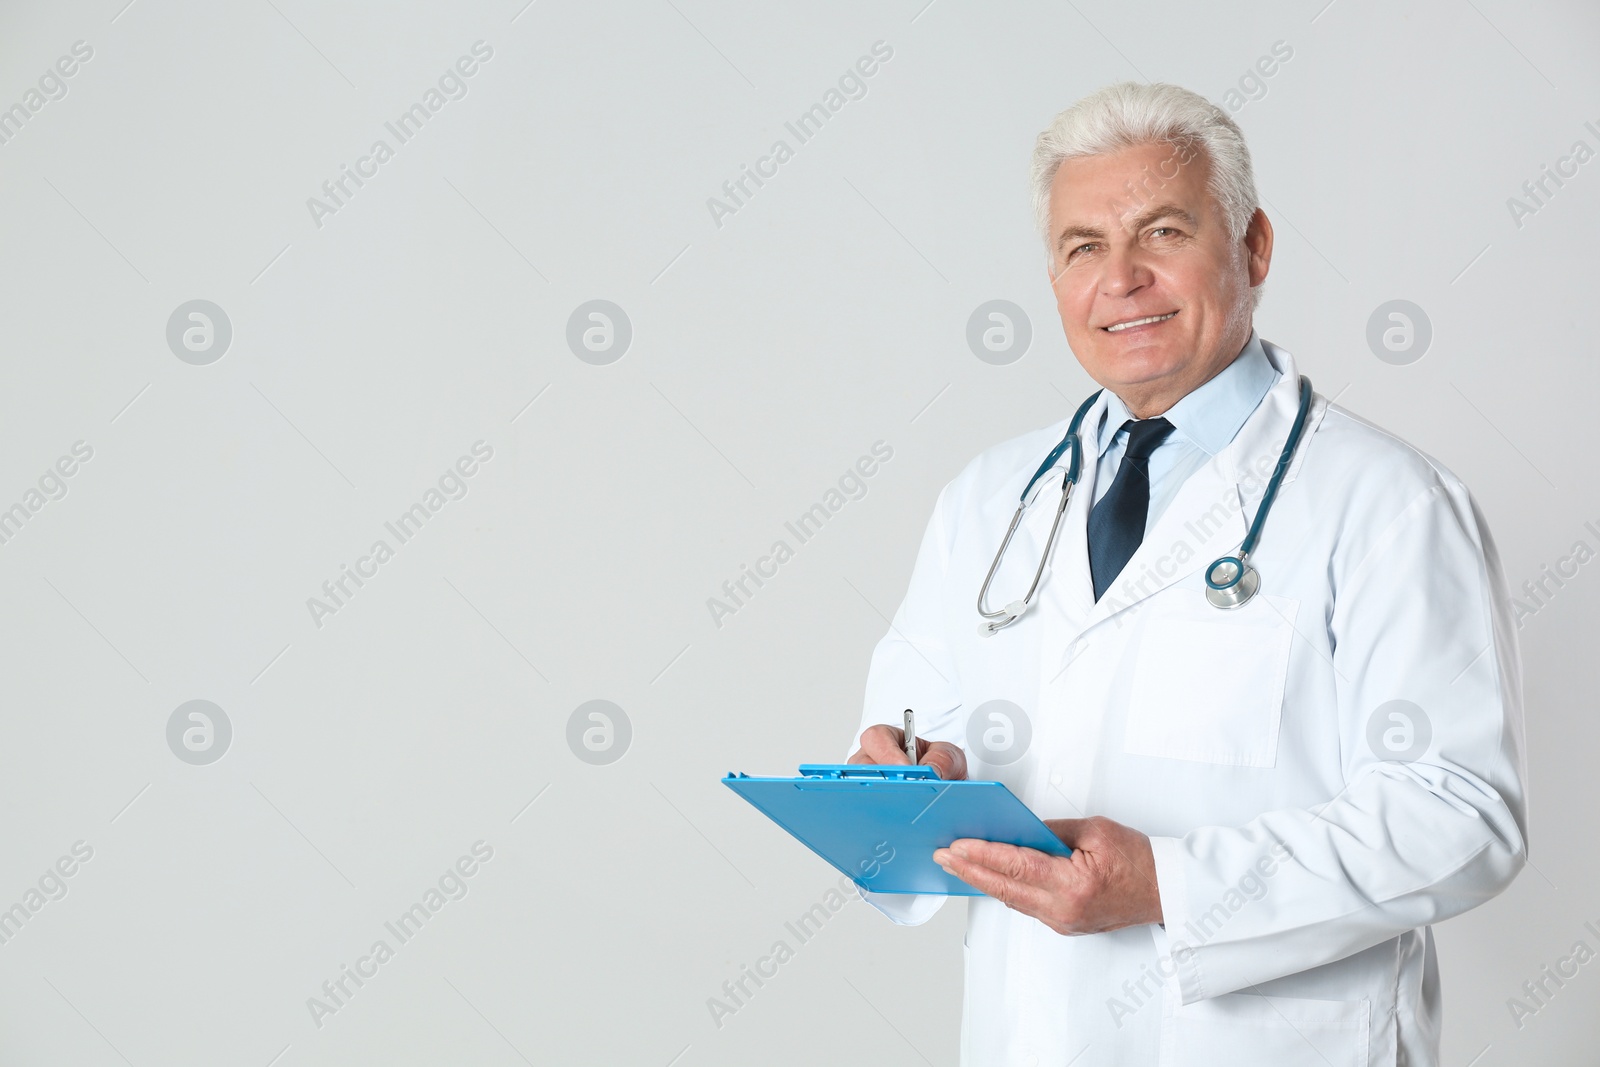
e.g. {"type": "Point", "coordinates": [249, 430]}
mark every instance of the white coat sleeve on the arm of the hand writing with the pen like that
{"type": "Point", "coordinates": [913, 668]}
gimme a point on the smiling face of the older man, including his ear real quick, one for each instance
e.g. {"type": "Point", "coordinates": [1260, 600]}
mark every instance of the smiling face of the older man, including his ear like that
{"type": "Point", "coordinates": [1153, 294]}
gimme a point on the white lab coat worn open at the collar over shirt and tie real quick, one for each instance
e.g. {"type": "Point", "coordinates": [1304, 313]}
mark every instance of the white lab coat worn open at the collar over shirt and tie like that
{"type": "Point", "coordinates": [1298, 861]}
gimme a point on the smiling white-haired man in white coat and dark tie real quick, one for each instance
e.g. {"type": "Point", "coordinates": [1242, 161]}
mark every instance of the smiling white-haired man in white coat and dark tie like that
{"type": "Point", "coordinates": [1271, 802]}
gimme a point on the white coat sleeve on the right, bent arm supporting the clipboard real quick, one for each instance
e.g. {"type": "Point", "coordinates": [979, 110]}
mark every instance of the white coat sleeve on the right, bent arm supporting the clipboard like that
{"type": "Point", "coordinates": [1423, 617]}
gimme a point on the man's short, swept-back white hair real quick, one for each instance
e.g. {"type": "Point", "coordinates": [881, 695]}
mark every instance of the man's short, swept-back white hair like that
{"type": "Point", "coordinates": [1132, 114]}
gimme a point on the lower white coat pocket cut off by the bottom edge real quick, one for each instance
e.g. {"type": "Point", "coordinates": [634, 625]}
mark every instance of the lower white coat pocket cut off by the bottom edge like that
{"type": "Point", "coordinates": [1250, 1029]}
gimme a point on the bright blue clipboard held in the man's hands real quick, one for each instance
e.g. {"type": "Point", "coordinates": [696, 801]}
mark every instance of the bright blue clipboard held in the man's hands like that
{"type": "Point", "coordinates": [879, 825]}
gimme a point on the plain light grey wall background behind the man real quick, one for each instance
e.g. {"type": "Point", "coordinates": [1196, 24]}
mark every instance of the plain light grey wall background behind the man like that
{"type": "Point", "coordinates": [767, 356]}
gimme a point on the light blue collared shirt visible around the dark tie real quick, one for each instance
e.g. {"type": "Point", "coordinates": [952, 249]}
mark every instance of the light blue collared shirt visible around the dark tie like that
{"type": "Point", "coordinates": [1204, 423]}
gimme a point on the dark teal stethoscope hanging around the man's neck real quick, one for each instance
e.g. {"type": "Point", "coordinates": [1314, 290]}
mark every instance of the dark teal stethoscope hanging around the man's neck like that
{"type": "Point", "coordinates": [1230, 581]}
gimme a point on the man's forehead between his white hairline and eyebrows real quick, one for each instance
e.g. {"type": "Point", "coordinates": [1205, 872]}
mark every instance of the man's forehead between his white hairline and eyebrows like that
{"type": "Point", "coordinates": [1097, 190]}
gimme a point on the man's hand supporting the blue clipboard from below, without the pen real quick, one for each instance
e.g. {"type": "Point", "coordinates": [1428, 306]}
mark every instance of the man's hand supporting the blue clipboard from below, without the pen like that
{"type": "Point", "coordinates": [1106, 884]}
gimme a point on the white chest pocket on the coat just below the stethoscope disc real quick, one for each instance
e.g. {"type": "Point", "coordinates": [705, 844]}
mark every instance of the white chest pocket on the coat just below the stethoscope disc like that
{"type": "Point", "coordinates": [1209, 684]}
